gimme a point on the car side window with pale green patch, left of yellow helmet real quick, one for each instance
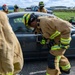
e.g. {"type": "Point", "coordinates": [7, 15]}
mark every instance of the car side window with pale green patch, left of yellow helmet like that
{"type": "Point", "coordinates": [18, 25]}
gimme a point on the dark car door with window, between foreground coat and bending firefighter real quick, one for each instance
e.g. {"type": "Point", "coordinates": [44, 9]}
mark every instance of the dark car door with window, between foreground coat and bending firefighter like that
{"type": "Point", "coordinates": [27, 38]}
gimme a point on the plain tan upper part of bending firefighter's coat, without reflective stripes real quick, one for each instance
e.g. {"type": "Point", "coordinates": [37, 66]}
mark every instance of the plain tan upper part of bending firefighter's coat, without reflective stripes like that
{"type": "Point", "coordinates": [49, 25]}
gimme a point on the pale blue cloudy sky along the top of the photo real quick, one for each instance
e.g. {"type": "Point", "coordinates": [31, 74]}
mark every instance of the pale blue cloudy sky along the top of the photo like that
{"type": "Point", "coordinates": [48, 3]}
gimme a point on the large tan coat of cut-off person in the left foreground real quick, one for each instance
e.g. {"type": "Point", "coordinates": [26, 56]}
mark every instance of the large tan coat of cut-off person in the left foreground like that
{"type": "Point", "coordinates": [11, 58]}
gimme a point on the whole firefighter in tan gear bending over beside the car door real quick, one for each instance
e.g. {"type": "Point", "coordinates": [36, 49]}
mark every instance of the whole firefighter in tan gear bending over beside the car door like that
{"type": "Point", "coordinates": [57, 32]}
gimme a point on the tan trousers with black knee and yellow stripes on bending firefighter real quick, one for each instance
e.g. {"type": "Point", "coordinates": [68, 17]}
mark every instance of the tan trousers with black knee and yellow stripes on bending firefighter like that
{"type": "Point", "coordinates": [57, 60]}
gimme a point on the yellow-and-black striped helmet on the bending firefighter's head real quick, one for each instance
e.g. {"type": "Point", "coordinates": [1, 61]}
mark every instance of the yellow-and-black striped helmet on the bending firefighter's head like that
{"type": "Point", "coordinates": [28, 18]}
